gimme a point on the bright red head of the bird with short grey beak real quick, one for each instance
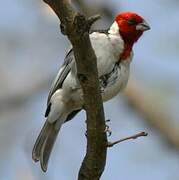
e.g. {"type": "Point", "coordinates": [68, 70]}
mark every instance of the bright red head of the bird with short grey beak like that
{"type": "Point", "coordinates": [131, 26]}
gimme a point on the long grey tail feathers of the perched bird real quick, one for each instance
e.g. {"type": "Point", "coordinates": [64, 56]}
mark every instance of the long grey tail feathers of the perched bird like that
{"type": "Point", "coordinates": [44, 144]}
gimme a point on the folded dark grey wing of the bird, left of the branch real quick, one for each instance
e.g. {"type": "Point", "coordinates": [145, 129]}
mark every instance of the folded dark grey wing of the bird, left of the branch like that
{"type": "Point", "coordinates": [62, 74]}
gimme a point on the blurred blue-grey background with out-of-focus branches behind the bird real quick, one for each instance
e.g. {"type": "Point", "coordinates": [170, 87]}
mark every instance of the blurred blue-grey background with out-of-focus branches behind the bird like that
{"type": "Point", "coordinates": [31, 52]}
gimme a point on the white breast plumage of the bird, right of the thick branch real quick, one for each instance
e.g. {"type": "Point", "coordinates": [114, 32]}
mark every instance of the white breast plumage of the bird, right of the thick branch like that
{"type": "Point", "coordinates": [108, 49]}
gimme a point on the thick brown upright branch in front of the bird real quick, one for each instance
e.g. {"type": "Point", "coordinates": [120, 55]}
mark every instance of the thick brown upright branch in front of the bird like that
{"type": "Point", "coordinates": [76, 27]}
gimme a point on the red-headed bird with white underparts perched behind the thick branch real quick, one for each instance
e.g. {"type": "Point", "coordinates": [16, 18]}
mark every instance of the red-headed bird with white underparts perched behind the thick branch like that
{"type": "Point", "coordinates": [114, 51]}
